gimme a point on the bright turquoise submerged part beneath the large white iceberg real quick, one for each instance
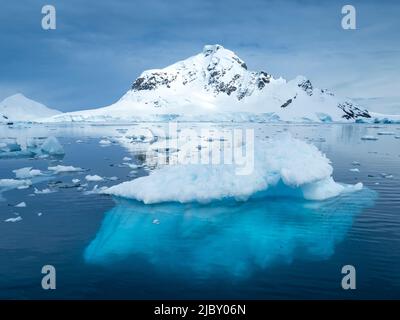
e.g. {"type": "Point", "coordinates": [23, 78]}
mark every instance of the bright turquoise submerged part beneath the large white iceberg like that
{"type": "Point", "coordinates": [226, 237]}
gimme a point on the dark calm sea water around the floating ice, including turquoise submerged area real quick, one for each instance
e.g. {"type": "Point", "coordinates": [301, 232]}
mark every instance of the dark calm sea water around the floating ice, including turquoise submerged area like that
{"type": "Point", "coordinates": [274, 248]}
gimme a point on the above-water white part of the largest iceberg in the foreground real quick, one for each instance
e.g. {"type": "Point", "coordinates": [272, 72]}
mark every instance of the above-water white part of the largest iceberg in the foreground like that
{"type": "Point", "coordinates": [282, 167]}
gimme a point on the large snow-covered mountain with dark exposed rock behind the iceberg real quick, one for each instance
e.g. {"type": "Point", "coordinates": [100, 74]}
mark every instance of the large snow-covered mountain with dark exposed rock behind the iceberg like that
{"type": "Point", "coordinates": [215, 85]}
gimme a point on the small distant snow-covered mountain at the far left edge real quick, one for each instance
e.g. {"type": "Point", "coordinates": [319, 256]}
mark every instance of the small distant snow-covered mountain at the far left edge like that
{"type": "Point", "coordinates": [19, 108]}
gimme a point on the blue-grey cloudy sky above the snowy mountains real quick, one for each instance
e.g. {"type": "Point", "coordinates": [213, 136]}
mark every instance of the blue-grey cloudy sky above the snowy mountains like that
{"type": "Point", "coordinates": [100, 47]}
